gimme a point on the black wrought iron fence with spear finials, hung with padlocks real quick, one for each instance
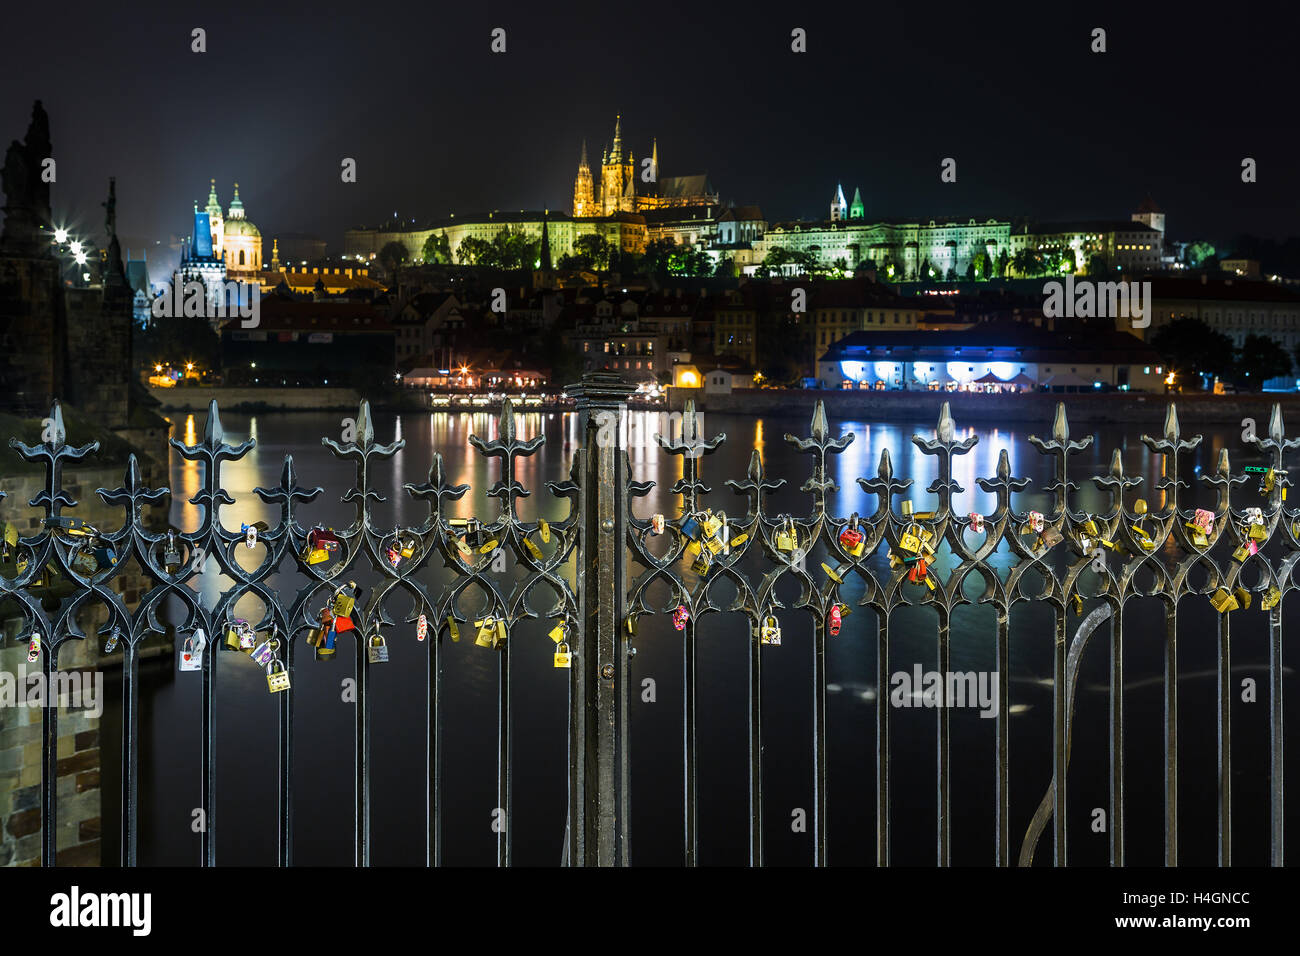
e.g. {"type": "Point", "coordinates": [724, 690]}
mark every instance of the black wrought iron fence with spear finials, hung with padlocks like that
{"type": "Point", "coordinates": [599, 566]}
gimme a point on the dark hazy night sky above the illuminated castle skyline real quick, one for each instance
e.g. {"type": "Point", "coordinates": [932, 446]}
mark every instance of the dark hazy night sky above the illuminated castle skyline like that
{"type": "Point", "coordinates": [1039, 126]}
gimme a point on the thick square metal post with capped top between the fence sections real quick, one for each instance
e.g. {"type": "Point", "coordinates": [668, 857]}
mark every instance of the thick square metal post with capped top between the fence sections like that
{"type": "Point", "coordinates": [600, 684]}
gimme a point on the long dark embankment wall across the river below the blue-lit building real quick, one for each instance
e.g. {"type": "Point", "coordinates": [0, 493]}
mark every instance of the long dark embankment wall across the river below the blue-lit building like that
{"type": "Point", "coordinates": [978, 409]}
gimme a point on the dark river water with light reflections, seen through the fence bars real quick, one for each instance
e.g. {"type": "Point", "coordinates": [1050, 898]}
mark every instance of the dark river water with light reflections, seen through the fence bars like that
{"type": "Point", "coordinates": [324, 756]}
